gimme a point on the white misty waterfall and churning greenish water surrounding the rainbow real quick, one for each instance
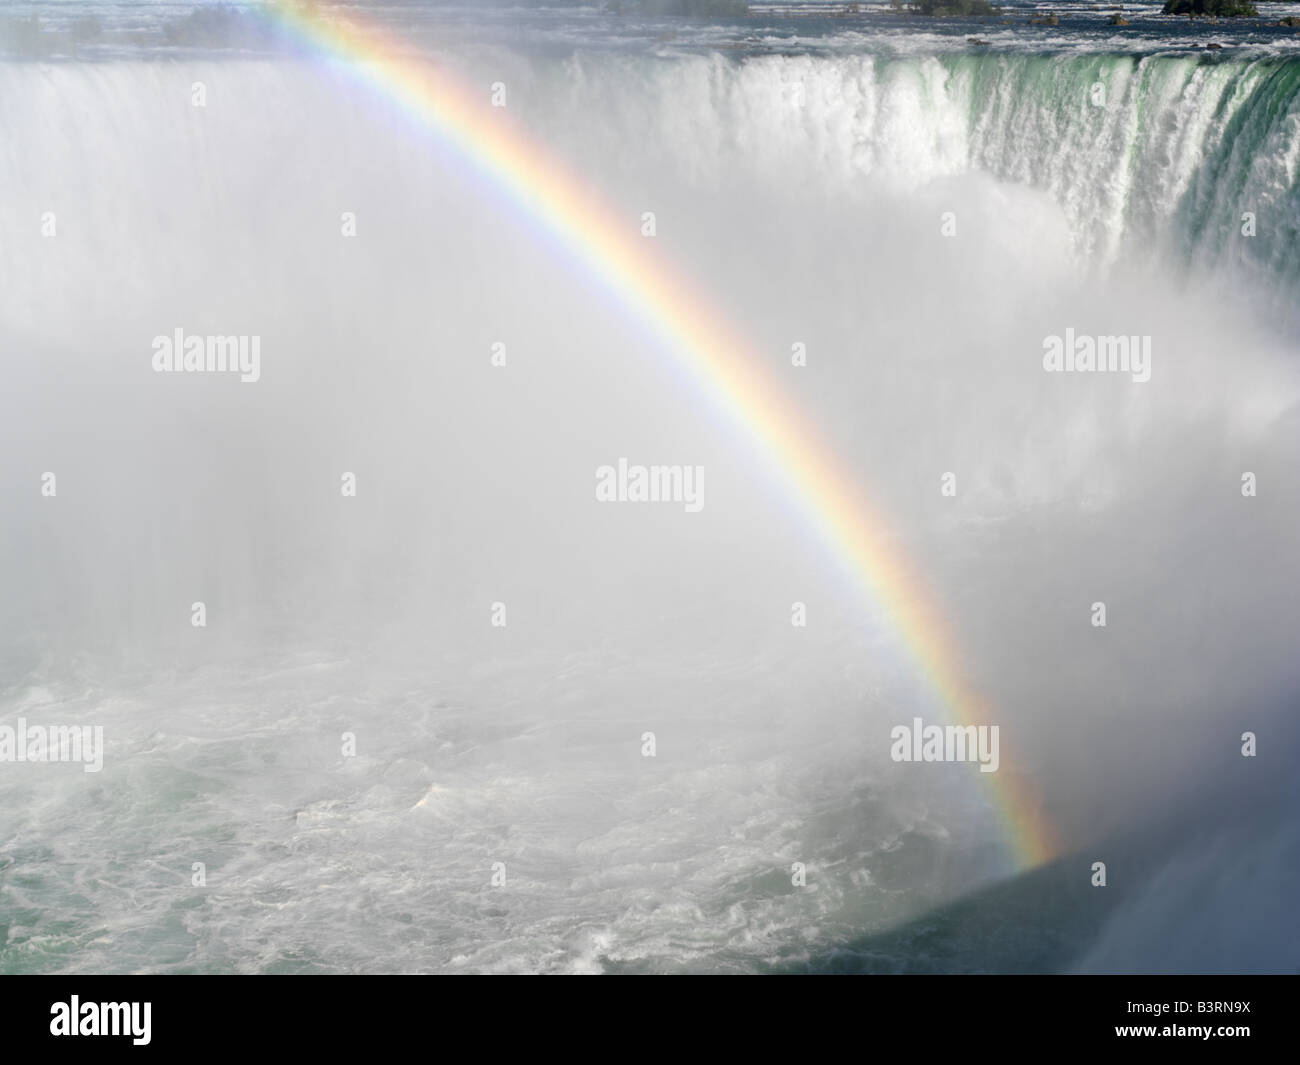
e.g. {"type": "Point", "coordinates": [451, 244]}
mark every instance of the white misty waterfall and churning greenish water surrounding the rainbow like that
{"type": "Point", "coordinates": [920, 214]}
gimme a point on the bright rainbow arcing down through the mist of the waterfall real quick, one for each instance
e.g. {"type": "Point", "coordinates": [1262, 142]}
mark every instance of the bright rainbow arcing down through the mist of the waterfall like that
{"type": "Point", "coordinates": [610, 248]}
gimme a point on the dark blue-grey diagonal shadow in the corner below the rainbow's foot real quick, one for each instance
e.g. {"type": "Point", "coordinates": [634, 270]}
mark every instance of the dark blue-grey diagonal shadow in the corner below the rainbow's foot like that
{"type": "Point", "coordinates": [1207, 890]}
